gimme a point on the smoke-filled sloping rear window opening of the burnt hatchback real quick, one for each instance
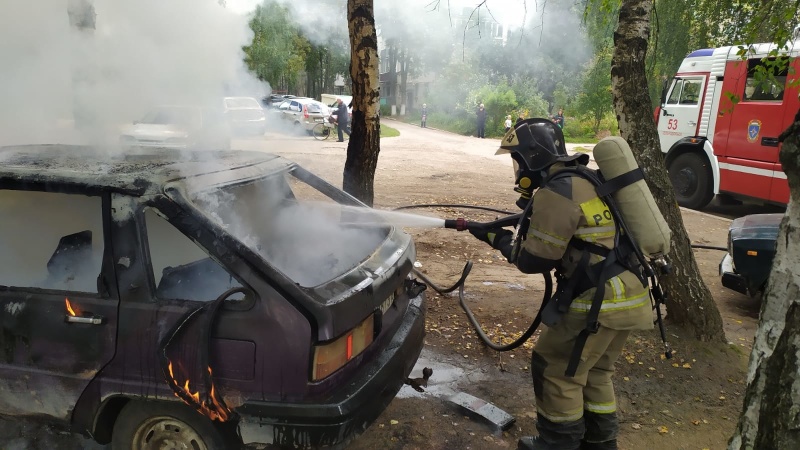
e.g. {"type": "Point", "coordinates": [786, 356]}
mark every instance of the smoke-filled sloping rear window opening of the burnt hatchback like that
{"type": "Point", "coordinates": [296, 227]}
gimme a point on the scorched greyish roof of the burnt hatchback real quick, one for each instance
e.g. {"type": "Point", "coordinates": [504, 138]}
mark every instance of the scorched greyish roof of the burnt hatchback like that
{"type": "Point", "coordinates": [133, 172]}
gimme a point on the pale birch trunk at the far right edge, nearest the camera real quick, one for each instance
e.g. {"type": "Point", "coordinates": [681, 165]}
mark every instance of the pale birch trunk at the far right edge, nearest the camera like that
{"type": "Point", "coordinates": [770, 414]}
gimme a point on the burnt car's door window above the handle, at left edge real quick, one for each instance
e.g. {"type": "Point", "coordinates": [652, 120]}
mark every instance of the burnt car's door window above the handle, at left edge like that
{"type": "Point", "coordinates": [50, 240]}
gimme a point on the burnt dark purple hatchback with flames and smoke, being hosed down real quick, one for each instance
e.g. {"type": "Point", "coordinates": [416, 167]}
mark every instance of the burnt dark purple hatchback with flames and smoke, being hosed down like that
{"type": "Point", "coordinates": [195, 297]}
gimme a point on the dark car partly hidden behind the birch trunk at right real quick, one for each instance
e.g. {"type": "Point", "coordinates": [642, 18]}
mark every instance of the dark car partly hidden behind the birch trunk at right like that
{"type": "Point", "coordinates": [751, 248]}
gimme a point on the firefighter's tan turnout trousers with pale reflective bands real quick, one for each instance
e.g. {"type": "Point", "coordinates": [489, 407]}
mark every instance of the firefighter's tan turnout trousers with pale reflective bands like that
{"type": "Point", "coordinates": [563, 399]}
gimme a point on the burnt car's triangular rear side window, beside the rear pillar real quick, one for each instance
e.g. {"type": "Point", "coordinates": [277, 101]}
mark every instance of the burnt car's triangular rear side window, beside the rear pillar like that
{"type": "Point", "coordinates": [181, 269]}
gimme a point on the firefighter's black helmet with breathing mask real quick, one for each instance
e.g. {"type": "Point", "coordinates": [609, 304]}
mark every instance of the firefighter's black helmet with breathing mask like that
{"type": "Point", "coordinates": [535, 145]}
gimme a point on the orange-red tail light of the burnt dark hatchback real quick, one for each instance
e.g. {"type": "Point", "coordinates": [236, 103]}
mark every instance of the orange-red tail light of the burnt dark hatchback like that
{"type": "Point", "coordinates": [331, 356]}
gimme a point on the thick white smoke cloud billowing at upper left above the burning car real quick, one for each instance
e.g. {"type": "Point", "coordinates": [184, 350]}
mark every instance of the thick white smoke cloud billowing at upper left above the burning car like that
{"type": "Point", "coordinates": [73, 71]}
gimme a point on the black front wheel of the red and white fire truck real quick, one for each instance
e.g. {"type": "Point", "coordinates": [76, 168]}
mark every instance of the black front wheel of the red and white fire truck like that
{"type": "Point", "coordinates": [691, 179]}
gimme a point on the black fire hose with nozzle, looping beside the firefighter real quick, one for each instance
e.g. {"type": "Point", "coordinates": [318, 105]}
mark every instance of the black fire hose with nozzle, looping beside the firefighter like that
{"type": "Point", "coordinates": [461, 224]}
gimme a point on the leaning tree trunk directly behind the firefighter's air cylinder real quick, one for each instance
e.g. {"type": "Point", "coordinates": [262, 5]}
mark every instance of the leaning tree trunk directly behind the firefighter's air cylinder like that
{"type": "Point", "coordinates": [689, 302]}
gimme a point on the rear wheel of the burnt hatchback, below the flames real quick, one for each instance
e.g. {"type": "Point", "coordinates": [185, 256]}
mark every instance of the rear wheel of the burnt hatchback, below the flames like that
{"type": "Point", "coordinates": [159, 425]}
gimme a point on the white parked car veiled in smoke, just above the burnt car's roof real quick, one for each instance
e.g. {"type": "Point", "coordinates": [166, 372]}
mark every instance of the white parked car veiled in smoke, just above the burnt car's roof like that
{"type": "Point", "coordinates": [179, 127]}
